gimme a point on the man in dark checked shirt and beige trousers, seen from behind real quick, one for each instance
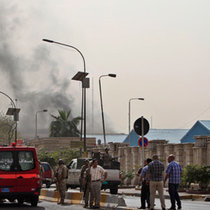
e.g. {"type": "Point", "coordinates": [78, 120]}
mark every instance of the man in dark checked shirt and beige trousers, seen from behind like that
{"type": "Point", "coordinates": [155, 179]}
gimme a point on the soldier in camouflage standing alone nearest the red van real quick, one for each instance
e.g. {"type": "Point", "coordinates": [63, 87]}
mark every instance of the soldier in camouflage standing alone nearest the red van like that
{"type": "Point", "coordinates": [61, 176]}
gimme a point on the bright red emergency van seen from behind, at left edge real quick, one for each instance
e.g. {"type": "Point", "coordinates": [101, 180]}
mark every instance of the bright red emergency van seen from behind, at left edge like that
{"type": "Point", "coordinates": [19, 174]}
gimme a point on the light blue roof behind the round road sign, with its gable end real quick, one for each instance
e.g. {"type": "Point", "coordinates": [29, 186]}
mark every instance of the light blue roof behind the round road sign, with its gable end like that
{"type": "Point", "coordinates": [171, 135]}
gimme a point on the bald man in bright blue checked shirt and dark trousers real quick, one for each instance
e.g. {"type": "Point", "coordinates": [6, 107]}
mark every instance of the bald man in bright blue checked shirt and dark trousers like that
{"type": "Point", "coordinates": [173, 172]}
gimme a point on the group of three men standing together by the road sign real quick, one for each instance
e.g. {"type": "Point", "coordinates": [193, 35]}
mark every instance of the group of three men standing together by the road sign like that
{"type": "Point", "coordinates": [152, 180]}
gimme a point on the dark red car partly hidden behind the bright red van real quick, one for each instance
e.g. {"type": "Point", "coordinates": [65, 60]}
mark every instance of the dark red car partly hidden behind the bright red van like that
{"type": "Point", "coordinates": [48, 177]}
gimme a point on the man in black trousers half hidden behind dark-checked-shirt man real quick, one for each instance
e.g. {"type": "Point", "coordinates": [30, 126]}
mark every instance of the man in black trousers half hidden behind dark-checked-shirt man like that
{"type": "Point", "coordinates": [145, 186]}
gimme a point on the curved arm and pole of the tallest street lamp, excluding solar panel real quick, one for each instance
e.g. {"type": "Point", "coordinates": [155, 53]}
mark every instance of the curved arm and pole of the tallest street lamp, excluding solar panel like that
{"type": "Point", "coordinates": [83, 90]}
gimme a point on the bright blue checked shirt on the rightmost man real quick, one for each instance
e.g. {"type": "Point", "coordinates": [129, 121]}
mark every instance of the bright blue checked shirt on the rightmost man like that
{"type": "Point", "coordinates": [174, 172]}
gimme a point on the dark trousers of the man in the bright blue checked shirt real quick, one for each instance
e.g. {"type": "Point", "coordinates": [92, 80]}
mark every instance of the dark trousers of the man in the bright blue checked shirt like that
{"type": "Point", "coordinates": [174, 196]}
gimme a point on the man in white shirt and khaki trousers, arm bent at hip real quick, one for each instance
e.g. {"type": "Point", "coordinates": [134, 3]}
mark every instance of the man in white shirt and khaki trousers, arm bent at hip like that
{"type": "Point", "coordinates": [96, 173]}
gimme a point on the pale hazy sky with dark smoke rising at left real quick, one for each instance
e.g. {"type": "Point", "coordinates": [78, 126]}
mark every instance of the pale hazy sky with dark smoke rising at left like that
{"type": "Point", "coordinates": [159, 51]}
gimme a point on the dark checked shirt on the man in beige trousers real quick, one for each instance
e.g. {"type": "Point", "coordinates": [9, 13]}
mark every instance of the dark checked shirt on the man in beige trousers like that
{"type": "Point", "coordinates": [155, 169]}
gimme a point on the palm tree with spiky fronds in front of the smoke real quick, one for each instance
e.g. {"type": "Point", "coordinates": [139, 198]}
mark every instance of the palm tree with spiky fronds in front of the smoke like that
{"type": "Point", "coordinates": [64, 125]}
